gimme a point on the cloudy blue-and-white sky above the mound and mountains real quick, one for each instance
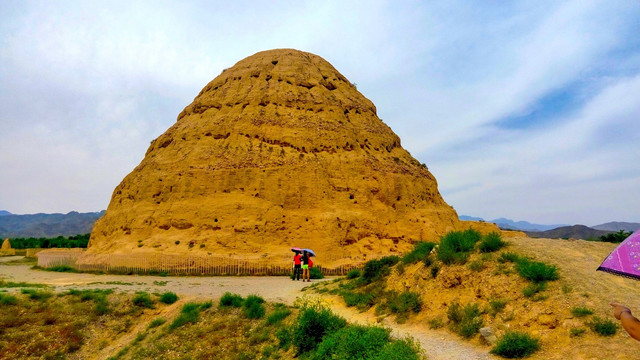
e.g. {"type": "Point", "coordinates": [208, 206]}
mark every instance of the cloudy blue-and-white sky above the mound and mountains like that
{"type": "Point", "coordinates": [528, 110]}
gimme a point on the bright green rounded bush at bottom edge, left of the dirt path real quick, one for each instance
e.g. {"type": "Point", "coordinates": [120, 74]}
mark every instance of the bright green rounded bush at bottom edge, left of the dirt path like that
{"type": "Point", "coordinates": [352, 342]}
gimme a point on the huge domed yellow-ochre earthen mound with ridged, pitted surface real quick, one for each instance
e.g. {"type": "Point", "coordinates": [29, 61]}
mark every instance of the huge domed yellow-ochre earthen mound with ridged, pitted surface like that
{"type": "Point", "coordinates": [279, 150]}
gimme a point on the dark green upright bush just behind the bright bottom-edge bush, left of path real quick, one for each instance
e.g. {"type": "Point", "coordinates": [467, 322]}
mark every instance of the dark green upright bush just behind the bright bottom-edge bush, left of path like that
{"type": "Point", "coordinates": [312, 325]}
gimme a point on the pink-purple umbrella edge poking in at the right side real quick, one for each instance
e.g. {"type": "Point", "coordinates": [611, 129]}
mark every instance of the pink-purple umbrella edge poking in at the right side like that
{"type": "Point", "coordinates": [624, 260]}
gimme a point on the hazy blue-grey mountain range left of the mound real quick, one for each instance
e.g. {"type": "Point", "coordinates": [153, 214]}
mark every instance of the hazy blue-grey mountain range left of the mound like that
{"type": "Point", "coordinates": [47, 225]}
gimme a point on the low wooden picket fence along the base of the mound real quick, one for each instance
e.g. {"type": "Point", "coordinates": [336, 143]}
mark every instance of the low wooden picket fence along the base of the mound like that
{"type": "Point", "coordinates": [184, 264]}
